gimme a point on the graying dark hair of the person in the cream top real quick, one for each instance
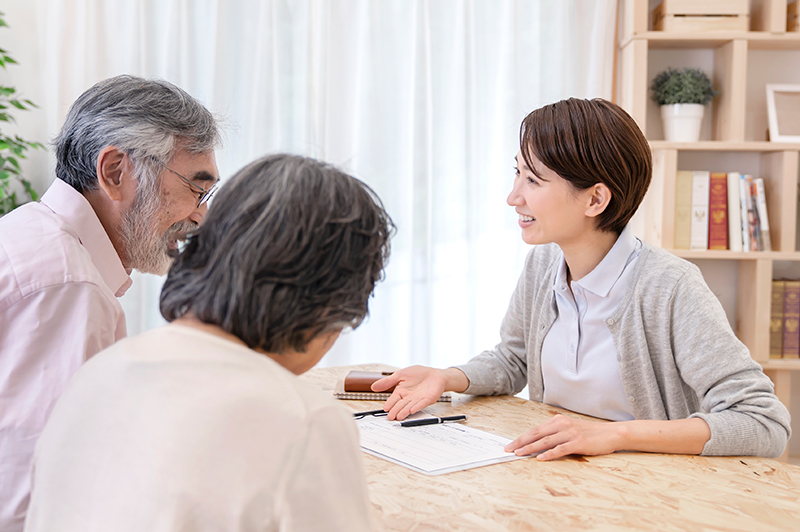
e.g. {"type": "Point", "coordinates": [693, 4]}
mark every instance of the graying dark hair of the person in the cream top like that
{"type": "Point", "coordinates": [291, 248]}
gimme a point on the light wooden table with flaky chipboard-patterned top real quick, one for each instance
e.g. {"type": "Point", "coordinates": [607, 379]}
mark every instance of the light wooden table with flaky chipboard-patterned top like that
{"type": "Point", "coordinates": [622, 491]}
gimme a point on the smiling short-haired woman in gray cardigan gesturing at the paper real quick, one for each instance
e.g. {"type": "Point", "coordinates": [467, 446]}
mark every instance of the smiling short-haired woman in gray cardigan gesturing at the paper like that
{"type": "Point", "coordinates": [602, 323]}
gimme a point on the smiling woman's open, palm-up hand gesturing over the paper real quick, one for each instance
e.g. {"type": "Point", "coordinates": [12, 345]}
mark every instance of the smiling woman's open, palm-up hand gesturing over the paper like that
{"type": "Point", "coordinates": [418, 387]}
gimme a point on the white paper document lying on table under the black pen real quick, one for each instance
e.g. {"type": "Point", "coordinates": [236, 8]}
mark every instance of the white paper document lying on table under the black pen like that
{"type": "Point", "coordinates": [432, 449]}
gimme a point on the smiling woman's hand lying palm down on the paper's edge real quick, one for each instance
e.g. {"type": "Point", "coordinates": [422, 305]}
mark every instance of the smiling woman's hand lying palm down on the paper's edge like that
{"type": "Point", "coordinates": [562, 435]}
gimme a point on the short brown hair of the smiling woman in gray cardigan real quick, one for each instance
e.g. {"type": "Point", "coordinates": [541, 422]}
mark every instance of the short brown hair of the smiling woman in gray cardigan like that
{"type": "Point", "coordinates": [588, 142]}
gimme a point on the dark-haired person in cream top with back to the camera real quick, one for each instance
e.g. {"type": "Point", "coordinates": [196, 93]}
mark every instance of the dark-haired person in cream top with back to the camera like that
{"type": "Point", "coordinates": [203, 424]}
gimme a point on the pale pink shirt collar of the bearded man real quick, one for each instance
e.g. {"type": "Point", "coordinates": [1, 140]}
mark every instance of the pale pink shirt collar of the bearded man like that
{"type": "Point", "coordinates": [77, 212]}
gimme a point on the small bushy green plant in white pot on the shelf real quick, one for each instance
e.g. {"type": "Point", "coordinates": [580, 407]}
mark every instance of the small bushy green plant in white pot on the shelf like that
{"type": "Point", "coordinates": [682, 95]}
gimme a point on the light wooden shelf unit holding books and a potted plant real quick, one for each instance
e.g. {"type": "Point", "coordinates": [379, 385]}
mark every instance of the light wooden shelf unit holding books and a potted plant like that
{"type": "Point", "coordinates": [777, 163]}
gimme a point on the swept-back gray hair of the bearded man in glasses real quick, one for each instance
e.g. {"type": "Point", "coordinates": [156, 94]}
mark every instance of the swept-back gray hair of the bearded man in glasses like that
{"type": "Point", "coordinates": [149, 119]}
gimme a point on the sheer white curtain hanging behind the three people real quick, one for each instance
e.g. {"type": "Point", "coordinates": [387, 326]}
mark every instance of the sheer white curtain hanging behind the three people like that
{"type": "Point", "coordinates": [421, 99]}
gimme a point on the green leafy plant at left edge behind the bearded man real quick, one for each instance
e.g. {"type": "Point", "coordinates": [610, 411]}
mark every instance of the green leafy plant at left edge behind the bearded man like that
{"type": "Point", "coordinates": [12, 149]}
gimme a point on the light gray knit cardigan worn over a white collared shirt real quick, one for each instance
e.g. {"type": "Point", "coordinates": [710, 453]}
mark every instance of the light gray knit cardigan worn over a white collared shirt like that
{"type": "Point", "coordinates": [677, 354]}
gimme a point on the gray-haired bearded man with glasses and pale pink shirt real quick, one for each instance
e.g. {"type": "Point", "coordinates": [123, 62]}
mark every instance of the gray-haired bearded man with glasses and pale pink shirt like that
{"type": "Point", "coordinates": [135, 167]}
